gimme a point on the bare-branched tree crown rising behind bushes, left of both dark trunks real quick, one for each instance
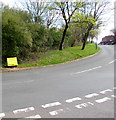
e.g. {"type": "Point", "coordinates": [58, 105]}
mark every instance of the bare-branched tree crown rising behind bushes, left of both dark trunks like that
{"type": "Point", "coordinates": [41, 11]}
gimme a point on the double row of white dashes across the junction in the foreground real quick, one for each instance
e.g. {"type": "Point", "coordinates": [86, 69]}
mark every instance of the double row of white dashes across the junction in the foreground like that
{"type": "Point", "coordinates": [82, 105]}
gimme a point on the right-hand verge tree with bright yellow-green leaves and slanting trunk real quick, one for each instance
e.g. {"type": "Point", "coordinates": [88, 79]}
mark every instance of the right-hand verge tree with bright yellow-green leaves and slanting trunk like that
{"type": "Point", "coordinates": [89, 17]}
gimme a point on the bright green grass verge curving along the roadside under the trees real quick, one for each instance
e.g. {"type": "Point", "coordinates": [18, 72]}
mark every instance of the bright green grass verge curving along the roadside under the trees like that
{"type": "Point", "coordinates": [68, 54]}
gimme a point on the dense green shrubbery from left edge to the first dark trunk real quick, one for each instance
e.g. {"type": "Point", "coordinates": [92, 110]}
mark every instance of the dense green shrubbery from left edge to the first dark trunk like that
{"type": "Point", "coordinates": [21, 36]}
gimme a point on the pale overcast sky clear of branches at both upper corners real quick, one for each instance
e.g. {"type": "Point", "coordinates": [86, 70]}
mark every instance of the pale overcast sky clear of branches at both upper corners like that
{"type": "Point", "coordinates": [108, 18]}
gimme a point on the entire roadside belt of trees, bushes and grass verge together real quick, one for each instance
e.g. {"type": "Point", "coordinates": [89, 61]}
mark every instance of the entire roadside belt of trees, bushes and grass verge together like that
{"type": "Point", "coordinates": [50, 33]}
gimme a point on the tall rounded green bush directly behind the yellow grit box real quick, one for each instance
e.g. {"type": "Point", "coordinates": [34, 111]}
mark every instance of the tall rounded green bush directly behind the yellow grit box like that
{"type": "Point", "coordinates": [16, 39]}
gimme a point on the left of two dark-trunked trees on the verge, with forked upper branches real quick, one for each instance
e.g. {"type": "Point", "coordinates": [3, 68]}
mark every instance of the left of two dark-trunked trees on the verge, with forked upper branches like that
{"type": "Point", "coordinates": [67, 10]}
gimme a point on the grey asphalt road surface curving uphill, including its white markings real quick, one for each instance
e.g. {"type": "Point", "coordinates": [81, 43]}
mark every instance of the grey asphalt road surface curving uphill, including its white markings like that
{"type": "Point", "coordinates": [79, 89]}
